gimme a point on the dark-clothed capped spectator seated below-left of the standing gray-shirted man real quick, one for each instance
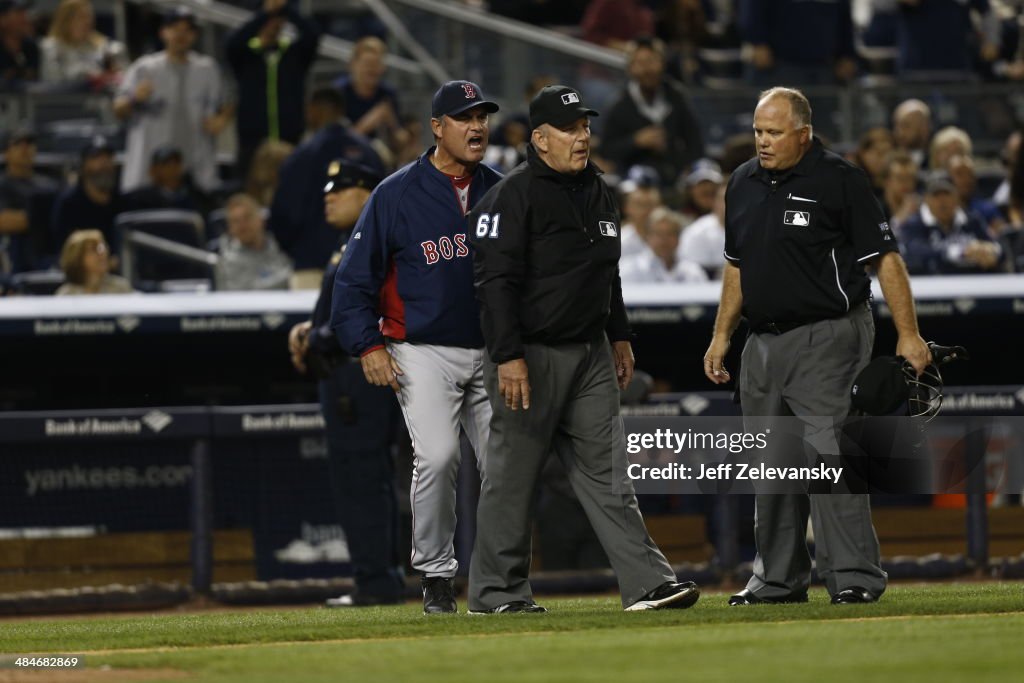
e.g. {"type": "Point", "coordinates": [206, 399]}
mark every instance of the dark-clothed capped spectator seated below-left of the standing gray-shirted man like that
{"type": "Point", "coordinates": [93, 203]}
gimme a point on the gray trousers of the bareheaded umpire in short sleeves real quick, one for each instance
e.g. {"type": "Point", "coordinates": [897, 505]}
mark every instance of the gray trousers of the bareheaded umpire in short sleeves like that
{"type": "Point", "coordinates": [808, 373]}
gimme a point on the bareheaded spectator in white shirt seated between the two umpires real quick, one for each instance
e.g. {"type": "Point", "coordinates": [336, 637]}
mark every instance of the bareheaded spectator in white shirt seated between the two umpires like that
{"type": "Point", "coordinates": [661, 264]}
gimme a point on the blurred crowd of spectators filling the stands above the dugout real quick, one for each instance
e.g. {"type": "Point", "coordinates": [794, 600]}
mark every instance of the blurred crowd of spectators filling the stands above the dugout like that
{"type": "Point", "coordinates": [954, 212]}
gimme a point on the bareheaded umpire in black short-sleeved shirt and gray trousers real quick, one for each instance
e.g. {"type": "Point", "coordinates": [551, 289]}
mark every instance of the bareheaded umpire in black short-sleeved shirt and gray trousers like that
{"type": "Point", "coordinates": [801, 227]}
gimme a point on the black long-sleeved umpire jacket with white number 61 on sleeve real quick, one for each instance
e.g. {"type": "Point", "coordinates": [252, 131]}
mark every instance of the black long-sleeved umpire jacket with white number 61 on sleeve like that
{"type": "Point", "coordinates": [546, 251]}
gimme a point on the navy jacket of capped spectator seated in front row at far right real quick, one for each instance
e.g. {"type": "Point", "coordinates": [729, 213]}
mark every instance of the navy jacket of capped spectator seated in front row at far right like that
{"type": "Point", "coordinates": [930, 251]}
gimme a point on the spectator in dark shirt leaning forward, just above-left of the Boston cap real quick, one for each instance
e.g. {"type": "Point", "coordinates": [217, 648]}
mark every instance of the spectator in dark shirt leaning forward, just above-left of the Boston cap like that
{"type": "Point", "coordinates": [371, 104]}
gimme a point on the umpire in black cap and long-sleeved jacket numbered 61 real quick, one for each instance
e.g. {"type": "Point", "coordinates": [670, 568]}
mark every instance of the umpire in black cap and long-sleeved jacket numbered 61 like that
{"type": "Point", "coordinates": [546, 265]}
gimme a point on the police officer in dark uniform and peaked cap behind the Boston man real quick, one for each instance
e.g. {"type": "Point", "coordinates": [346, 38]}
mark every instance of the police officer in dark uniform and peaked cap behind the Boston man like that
{"type": "Point", "coordinates": [361, 419]}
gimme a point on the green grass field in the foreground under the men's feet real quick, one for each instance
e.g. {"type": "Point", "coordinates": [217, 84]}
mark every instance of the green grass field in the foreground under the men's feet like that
{"type": "Point", "coordinates": [971, 632]}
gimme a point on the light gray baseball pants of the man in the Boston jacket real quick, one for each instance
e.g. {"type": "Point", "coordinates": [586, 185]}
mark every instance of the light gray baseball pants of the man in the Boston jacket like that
{"type": "Point", "coordinates": [441, 391]}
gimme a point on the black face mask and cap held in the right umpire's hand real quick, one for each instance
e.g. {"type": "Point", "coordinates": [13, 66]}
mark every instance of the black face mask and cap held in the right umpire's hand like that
{"type": "Point", "coordinates": [889, 382]}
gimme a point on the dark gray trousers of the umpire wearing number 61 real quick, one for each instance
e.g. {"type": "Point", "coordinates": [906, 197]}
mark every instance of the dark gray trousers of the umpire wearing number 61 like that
{"type": "Point", "coordinates": [574, 413]}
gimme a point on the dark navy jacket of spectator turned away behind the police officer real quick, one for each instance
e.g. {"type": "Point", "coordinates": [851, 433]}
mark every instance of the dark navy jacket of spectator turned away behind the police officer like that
{"type": "Point", "coordinates": [297, 210]}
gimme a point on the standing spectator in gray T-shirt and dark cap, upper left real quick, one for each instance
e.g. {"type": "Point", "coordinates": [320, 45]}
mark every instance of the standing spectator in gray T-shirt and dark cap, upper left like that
{"type": "Point", "coordinates": [174, 98]}
